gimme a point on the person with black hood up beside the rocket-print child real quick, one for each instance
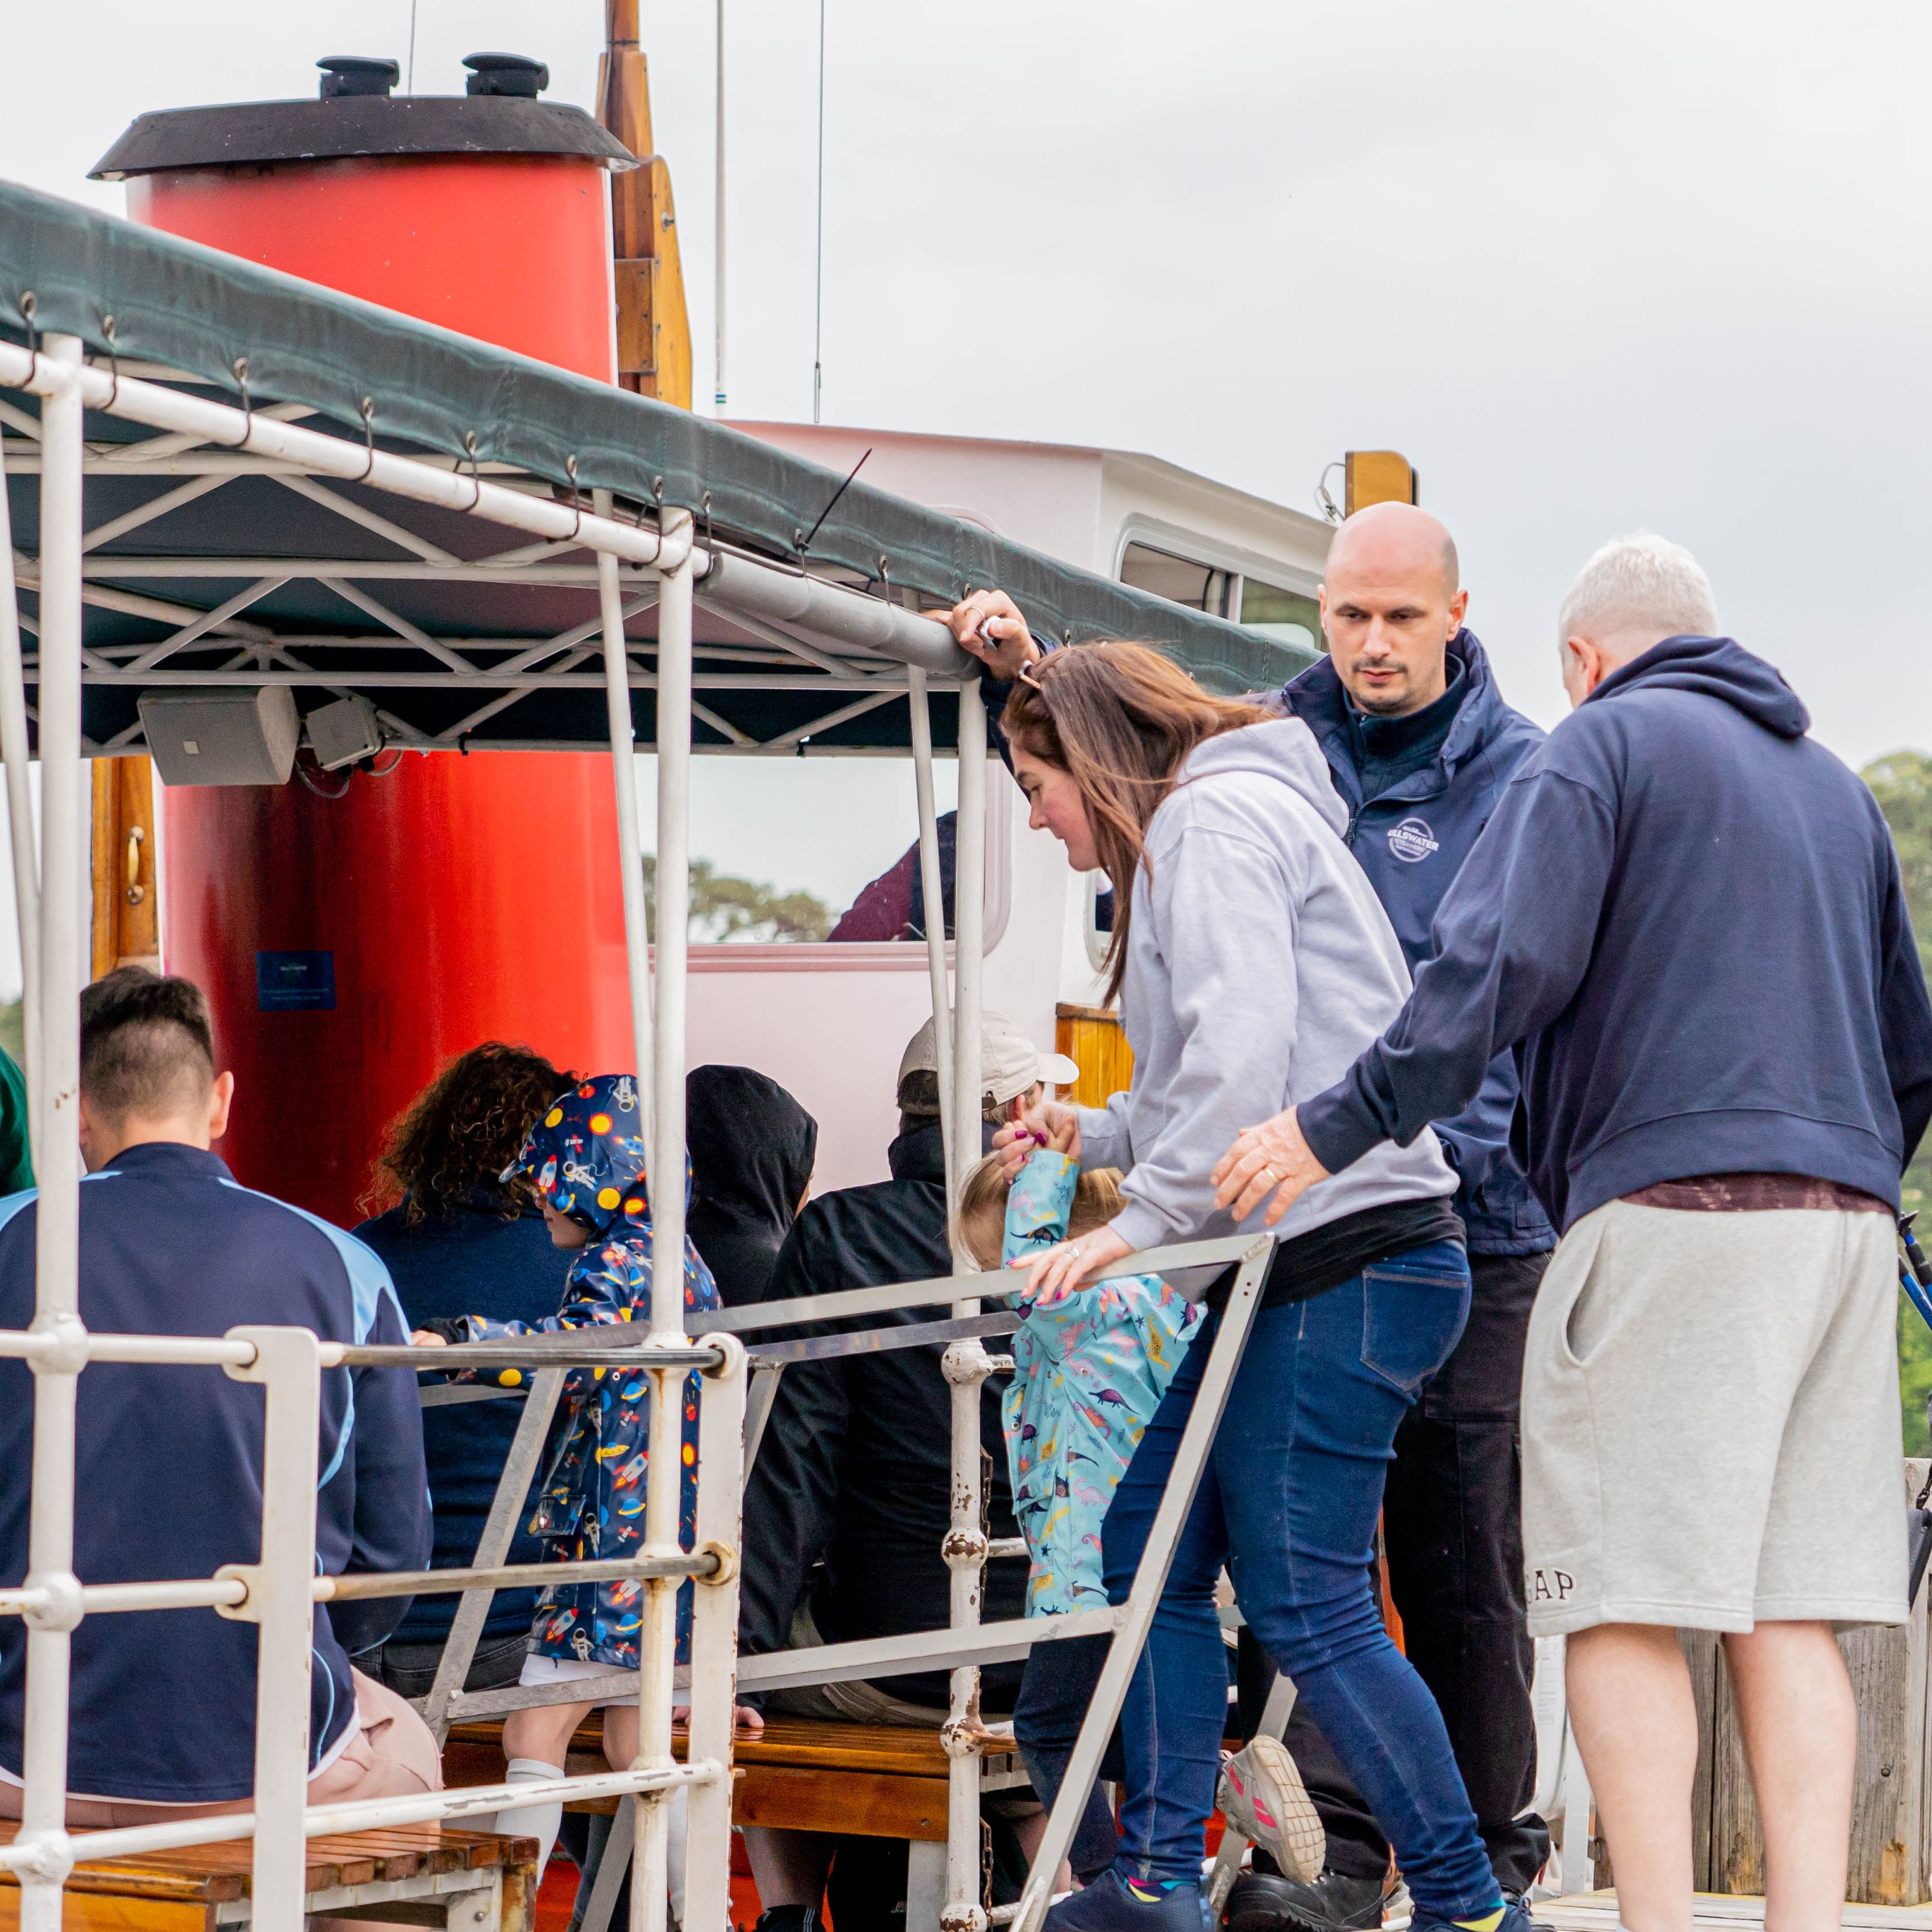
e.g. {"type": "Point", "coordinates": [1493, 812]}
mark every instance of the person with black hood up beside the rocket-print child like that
{"type": "Point", "coordinates": [753, 1151]}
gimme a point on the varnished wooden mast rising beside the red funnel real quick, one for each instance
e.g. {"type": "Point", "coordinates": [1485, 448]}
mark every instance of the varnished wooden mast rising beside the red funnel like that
{"type": "Point", "coordinates": [654, 331]}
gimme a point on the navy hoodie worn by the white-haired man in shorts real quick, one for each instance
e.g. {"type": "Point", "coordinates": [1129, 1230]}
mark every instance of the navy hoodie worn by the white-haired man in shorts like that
{"type": "Point", "coordinates": [1688, 921]}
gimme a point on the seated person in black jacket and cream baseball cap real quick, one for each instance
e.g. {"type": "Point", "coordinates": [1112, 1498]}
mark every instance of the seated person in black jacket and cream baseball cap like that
{"type": "Point", "coordinates": [851, 1492]}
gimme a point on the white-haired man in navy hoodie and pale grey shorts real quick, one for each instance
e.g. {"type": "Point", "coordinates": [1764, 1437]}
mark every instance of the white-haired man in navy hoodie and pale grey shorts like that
{"type": "Point", "coordinates": [1688, 921]}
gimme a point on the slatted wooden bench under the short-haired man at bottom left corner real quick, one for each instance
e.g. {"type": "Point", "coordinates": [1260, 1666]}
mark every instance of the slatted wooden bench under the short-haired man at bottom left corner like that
{"type": "Point", "coordinates": [411, 1875]}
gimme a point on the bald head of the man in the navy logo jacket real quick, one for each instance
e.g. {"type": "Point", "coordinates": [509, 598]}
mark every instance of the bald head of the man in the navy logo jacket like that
{"type": "Point", "coordinates": [1392, 600]}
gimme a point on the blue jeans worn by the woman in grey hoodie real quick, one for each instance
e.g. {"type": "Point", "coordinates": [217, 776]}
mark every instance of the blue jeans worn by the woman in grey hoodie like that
{"type": "Point", "coordinates": [1290, 1502]}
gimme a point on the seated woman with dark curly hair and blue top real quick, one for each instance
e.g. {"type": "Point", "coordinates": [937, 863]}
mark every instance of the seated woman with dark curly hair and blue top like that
{"type": "Point", "coordinates": [461, 1241]}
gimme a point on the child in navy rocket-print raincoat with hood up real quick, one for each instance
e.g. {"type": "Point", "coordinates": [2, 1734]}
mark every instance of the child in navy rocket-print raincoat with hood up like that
{"type": "Point", "coordinates": [588, 1162]}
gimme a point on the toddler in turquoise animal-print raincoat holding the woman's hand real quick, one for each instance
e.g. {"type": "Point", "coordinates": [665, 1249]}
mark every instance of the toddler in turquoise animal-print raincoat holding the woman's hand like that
{"type": "Point", "coordinates": [1089, 1373]}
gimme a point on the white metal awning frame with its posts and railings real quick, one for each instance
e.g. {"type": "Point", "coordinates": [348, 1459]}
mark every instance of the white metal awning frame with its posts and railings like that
{"type": "Point", "coordinates": [818, 635]}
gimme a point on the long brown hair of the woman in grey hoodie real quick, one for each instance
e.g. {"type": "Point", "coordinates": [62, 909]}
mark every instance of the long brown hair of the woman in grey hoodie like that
{"type": "Point", "coordinates": [1122, 720]}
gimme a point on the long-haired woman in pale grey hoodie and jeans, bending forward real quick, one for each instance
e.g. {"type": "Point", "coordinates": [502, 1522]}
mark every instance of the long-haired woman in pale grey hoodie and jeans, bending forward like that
{"type": "Point", "coordinates": [1253, 963]}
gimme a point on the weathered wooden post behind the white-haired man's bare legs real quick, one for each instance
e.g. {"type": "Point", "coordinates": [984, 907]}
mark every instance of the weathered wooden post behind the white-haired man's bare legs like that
{"type": "Point", "coordinates": [1889, 1804]}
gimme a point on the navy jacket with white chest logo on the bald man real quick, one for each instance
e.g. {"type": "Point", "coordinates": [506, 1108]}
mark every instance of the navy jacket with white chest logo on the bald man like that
{"type": "Point", "coordinates": [1411, 841]}
